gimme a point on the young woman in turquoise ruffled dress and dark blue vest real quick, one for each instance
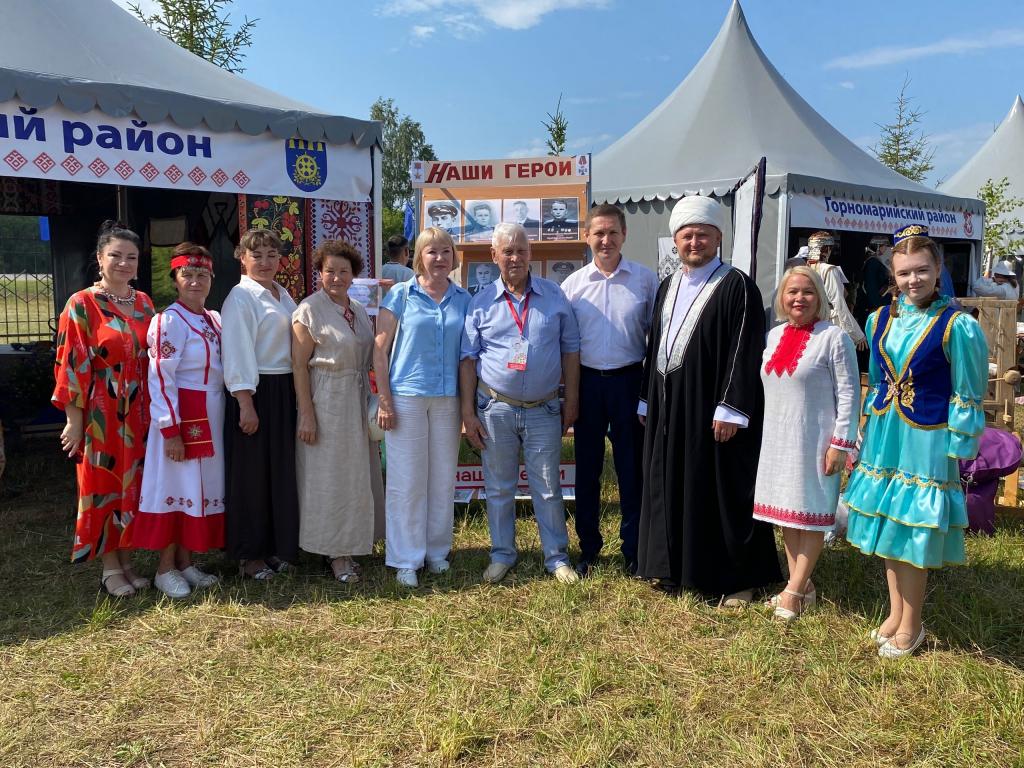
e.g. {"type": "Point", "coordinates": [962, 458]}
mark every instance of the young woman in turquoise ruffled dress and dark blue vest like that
{"type": "Point", "coordinates": [928, 376]}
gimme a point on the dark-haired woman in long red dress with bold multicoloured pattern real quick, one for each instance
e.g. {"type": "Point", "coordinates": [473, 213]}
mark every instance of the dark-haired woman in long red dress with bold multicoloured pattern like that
{"type": "Point", "coordinates": [101, 385]}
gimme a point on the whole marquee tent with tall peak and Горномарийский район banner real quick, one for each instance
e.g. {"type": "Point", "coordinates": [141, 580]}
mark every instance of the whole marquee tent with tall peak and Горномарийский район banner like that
{"type": "Point", "coordinates": [732, 110]}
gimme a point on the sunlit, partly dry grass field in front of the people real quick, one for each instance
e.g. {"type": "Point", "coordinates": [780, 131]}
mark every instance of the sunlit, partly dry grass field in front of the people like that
{"type": "Point", "coordinates": [306, 672]}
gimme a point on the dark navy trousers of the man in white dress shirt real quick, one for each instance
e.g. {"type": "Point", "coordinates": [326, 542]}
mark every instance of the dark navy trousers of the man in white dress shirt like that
{"type": "Point", "coordinates": [609, 402]}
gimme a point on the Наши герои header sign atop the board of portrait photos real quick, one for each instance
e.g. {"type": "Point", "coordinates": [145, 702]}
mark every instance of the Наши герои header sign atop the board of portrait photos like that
{"type": "Point", "coordinates": [547, 170]}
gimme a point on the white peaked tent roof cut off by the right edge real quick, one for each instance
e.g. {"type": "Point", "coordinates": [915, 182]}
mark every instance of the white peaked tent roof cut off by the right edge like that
{"type": "Point", "coordinates": [1002, 155]}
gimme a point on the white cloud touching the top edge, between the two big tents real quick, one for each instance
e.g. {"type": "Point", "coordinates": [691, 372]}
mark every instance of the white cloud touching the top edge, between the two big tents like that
{"type": "Point", "coordinates": [464, 17]}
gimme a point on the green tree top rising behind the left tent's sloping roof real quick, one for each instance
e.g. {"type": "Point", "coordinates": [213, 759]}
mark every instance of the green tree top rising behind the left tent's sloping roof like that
{"type": "Point", "coordinates": [203, 28]}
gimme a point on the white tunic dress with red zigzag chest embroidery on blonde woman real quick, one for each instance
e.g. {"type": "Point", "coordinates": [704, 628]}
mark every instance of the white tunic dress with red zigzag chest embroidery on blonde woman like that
{"type": "Point", "coordinates": [813, 395]}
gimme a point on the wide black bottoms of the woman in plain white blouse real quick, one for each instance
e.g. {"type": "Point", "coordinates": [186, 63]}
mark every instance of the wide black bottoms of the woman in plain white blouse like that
{"type": "Point", "coordinates": [262, 500]}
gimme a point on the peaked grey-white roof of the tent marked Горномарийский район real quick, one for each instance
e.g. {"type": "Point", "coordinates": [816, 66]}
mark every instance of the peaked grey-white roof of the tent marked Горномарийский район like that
{"type": "Point", "coordinates": [733, 109]}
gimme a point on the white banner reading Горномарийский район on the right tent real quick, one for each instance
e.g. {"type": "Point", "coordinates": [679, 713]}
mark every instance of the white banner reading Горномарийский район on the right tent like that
{"type": "Point", "coordinates": [825, 212]}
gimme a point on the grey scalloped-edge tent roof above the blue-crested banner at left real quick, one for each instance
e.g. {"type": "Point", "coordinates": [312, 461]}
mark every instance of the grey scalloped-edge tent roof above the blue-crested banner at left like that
{"type": "Point", "coordinates": [92, 54]}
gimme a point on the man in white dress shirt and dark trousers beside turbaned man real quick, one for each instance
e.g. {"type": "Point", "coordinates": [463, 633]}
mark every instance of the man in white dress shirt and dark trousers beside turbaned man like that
{"type": "Point", "coordinates": [613, 300]}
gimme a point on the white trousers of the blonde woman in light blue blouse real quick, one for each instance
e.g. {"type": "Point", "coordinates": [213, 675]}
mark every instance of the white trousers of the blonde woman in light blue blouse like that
{"type": "Point", "coordinates": [422, 455]}
